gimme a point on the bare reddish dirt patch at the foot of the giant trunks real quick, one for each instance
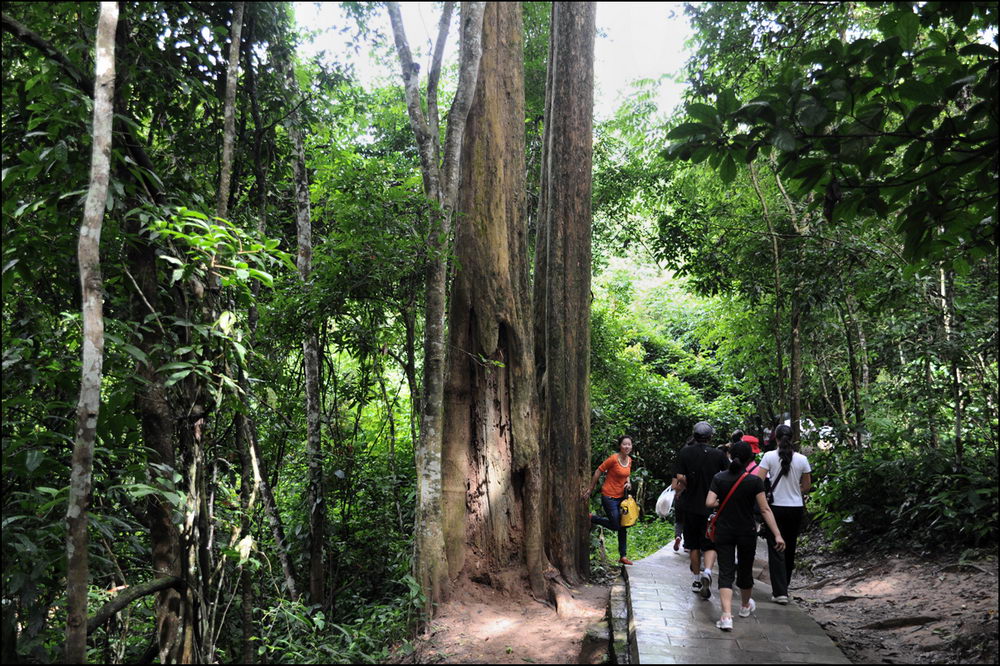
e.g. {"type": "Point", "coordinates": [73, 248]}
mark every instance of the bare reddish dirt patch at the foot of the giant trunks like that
{"type": "Point", "coordinates": [490, 627]}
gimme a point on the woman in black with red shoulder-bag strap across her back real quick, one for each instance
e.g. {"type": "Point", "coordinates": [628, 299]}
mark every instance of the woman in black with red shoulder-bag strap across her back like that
{"type": "Point", "coordinates": [736, 530]}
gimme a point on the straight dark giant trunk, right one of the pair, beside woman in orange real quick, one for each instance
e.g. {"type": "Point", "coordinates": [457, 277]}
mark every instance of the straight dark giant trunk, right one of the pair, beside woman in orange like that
{"type": "Point", "coordinates": [562, 268]}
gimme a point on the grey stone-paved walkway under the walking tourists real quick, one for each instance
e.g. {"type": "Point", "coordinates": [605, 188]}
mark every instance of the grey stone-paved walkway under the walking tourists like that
{"type": "Point", "coordinates": [675, 626]}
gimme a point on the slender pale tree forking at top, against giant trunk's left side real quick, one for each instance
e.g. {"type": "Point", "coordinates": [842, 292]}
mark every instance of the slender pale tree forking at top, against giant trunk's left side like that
{"type": "Point", "coordinates": [440, 186]}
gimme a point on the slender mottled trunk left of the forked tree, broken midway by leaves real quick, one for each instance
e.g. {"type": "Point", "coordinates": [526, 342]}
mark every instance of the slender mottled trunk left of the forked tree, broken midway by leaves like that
{"type": "Point", "coordinates": [310, 355]}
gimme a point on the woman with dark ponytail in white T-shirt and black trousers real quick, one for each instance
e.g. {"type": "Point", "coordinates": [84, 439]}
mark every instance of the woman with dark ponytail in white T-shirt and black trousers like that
{"type": "Point", "coordinates": [791, 477]}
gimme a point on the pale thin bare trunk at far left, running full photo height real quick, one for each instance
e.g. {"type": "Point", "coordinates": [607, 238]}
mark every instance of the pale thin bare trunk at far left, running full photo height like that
{"type": "Point", "coordinates": [91, 287]}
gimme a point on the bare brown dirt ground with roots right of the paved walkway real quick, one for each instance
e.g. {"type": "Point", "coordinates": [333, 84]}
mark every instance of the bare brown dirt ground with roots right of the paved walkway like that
{"type": "Point", "coordinates": [901, 607]}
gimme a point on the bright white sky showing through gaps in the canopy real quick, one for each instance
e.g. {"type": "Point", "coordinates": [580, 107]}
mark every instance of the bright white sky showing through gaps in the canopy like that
{"type": "Point", "coordinates": [643, 40]}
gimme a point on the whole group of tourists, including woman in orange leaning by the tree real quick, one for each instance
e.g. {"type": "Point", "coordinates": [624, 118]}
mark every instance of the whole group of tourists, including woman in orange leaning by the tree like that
{"type": "Point", "coordinates": [747, 498]}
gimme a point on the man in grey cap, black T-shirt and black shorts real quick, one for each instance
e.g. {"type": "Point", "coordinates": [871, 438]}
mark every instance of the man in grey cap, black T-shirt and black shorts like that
{"type": "Point", "coordinates": [696, 466]}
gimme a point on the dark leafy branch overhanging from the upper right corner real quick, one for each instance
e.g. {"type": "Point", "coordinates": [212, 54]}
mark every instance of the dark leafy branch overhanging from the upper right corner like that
{"type": "Point", "coordinates": [898, 124]}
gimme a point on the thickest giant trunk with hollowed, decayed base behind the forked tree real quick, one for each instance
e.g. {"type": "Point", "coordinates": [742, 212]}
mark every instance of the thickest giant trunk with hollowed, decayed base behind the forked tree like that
{"type": "Point", "coordinates": [491, 477]}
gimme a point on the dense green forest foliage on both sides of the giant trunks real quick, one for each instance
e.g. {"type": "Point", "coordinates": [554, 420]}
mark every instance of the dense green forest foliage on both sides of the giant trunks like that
{"type": "Point", "coordinates": [816, 226]}
